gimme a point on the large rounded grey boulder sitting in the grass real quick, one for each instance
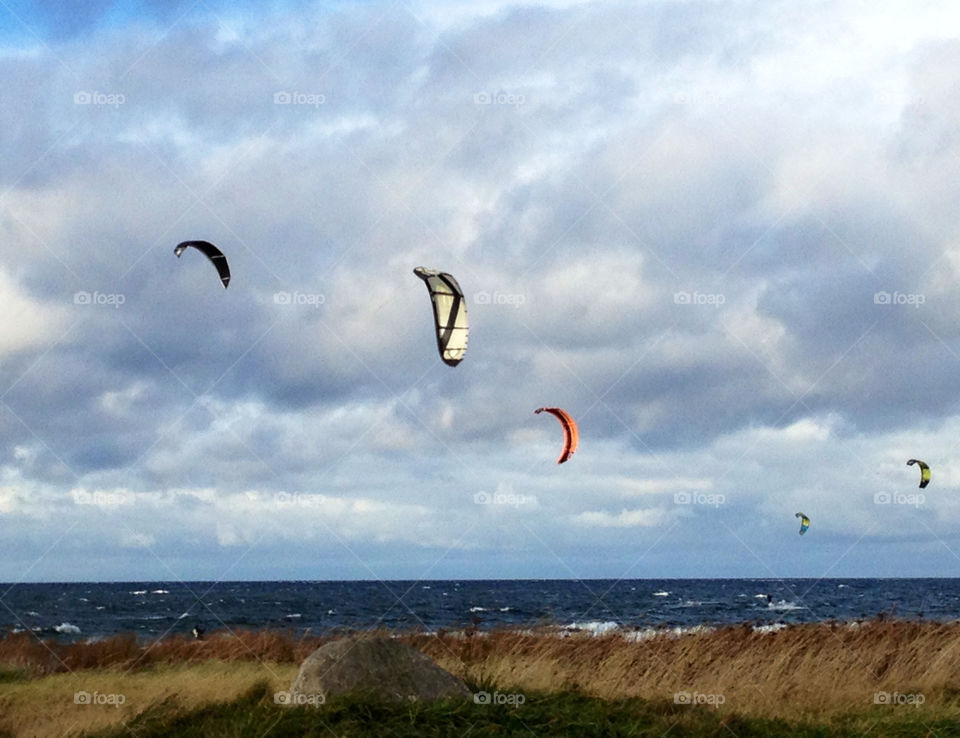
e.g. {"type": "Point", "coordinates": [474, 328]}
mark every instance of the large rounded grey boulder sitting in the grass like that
{"type": "Point", "coordinates": [379, 666]}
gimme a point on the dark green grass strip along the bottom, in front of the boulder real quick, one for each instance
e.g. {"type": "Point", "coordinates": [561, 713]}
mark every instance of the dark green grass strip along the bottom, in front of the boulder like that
{"type": "Point", "coordinates": [565, 714]}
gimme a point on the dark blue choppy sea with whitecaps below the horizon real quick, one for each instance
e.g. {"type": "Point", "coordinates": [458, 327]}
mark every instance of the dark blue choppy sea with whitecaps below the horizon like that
{"type": "Point", "coordinates": [151, 609]}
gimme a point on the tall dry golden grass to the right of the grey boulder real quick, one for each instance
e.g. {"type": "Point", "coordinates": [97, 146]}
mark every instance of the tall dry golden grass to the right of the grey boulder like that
{"type": "Point", "coordinates": [804, 671]}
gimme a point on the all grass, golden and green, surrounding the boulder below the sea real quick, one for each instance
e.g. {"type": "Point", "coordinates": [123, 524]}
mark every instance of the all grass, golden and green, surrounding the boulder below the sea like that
{"type": "Point", "coordinates": [806, 680]}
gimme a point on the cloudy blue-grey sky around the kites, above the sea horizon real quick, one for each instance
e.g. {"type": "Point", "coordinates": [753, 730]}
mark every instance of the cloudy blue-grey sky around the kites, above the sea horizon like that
{"type": "Point", "coordinates": [723, 236]}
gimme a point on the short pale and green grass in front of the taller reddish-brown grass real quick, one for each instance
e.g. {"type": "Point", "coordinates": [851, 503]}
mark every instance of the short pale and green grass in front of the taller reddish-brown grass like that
{"type": "Point", "coordinates": [198, 701]}
